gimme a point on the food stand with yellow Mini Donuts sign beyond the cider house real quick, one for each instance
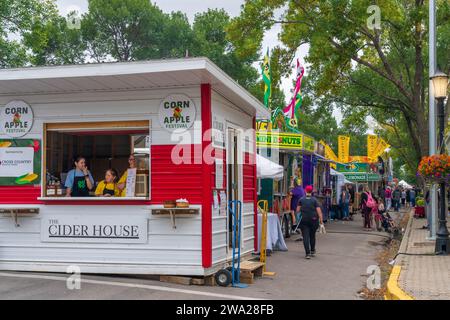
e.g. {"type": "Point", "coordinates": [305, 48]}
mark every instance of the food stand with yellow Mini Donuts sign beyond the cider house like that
{"type": "Point", "coordinates": [302, 160]}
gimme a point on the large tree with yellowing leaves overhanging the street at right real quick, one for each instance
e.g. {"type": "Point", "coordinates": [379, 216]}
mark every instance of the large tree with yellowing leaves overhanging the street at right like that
{"type": "Point", "coordinates": [369, 69]}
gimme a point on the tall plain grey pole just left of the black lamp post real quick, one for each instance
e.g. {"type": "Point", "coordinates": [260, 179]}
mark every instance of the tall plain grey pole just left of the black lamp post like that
{"type": "Point", "coordinates": [432, 207]}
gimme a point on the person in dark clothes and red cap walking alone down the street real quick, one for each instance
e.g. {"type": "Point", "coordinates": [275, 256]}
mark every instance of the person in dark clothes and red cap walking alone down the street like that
{"type": "Point", "coordinates": [312, 218]}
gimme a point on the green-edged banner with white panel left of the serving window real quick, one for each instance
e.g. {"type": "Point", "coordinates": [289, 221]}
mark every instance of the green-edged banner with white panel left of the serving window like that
{"type": "Point", "coordinates": [20, 162]}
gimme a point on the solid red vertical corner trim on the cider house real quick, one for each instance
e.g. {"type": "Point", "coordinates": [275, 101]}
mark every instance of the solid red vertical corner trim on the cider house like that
{"type": "Point", "coordinates": [206, 177]}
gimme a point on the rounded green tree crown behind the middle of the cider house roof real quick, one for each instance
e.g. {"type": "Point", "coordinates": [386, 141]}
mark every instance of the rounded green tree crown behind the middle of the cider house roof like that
{"type": "Point", "coordinates": [124, 30]}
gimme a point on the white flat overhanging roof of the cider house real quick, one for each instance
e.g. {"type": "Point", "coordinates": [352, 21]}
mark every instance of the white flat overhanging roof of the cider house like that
{"type": "Point", "coordinates": [150, 74]}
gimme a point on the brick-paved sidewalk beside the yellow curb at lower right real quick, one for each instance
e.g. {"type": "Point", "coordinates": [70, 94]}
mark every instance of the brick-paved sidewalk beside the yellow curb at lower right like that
{"type": "Point", "coordinates": [422, 277]}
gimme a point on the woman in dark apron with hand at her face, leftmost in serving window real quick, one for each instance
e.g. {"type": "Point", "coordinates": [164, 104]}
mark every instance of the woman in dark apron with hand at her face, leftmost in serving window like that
{"type": "Point", "coordinates": [79, 181]}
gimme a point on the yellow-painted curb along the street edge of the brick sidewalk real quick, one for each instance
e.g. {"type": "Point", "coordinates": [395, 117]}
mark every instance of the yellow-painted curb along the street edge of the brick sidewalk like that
{"type": "Point", "coordinates": [393, 290]}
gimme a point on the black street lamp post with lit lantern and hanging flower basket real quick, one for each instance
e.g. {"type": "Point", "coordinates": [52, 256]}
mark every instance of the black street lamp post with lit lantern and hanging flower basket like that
{"type": "Point", "coordinates": [440, 85]}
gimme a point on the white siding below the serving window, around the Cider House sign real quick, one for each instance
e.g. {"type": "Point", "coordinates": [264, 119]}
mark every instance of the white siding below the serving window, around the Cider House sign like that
{"type": "Point", "coordinates": [22, 246]}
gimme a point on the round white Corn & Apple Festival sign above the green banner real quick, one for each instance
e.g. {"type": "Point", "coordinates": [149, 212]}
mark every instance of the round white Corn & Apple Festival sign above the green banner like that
{"type": "Point", "coordinates": [16, 119]}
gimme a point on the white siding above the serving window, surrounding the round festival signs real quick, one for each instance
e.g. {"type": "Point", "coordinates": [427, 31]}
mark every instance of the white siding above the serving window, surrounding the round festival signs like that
{"type": "Point", "coordinates": [109, 106]}
